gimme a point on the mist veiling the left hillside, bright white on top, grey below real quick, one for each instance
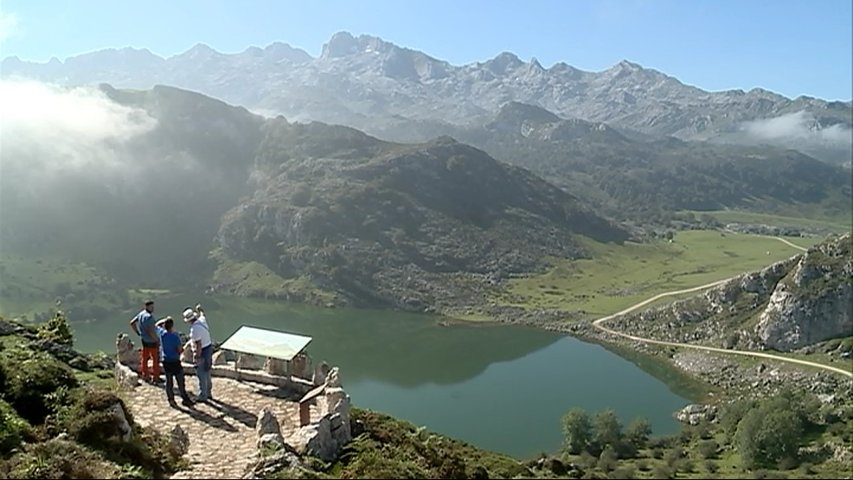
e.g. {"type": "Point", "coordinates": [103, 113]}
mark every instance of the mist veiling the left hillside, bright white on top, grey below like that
{"type": "Point", "coordinates": [124, 184]}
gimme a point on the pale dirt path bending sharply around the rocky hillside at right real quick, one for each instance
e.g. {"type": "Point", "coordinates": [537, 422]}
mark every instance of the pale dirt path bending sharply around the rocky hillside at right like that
{"type": "Point", "coordinates": [599, 325]}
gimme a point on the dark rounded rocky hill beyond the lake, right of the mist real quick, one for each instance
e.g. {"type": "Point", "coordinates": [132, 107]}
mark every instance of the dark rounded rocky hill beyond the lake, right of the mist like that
{"type": "Point", "coordinates": [387, 224]}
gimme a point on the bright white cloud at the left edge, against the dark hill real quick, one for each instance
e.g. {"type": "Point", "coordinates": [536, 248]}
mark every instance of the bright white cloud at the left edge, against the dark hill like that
{"type": "Point", "coordinates": [49, 133]}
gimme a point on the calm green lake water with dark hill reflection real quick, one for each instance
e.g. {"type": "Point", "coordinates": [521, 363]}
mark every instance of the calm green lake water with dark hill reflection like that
{"type": "Point", "coordinates": [502, 388]}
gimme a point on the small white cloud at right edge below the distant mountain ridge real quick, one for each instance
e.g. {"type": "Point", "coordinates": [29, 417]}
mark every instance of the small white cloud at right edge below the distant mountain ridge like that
{"type": "Point", "coordinates": [800, 126]}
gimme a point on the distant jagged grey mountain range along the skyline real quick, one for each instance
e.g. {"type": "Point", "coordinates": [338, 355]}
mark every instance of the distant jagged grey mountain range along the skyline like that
{"type": "Point", "coordinates": [404, 94]}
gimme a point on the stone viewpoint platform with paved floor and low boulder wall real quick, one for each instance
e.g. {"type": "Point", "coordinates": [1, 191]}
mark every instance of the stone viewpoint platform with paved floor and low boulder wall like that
{"type": "Point", "coordinates": [258, 408]}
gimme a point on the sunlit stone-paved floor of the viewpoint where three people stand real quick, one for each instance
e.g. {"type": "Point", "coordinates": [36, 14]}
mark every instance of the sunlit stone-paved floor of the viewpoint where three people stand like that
{"type": "Point", "coordinates": [222, 433]}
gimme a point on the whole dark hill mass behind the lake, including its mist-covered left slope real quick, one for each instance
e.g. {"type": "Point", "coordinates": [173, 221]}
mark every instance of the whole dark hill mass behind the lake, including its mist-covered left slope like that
{"type": "Point", "coordinates": [323, 213]}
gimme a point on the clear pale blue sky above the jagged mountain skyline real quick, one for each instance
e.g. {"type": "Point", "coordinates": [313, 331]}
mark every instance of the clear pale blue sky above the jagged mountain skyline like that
{"type": "Point", "coordinates": [791, 47]}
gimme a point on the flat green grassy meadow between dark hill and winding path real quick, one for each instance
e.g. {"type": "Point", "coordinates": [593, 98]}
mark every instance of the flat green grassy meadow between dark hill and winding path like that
{"type": "Point", "coordinates": [620, 275]}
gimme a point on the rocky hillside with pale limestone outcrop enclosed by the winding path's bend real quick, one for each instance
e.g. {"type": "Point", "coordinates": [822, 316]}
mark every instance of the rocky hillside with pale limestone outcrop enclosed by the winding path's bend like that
{"type": "Point", "coordinates": [786, 306]}
